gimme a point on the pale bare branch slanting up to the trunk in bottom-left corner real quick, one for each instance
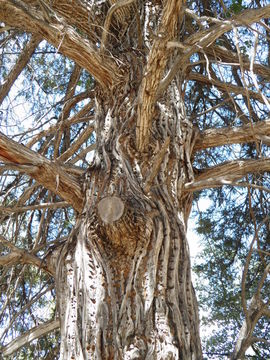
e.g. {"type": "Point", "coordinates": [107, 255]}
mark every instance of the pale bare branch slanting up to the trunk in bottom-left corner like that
{"type": "Point", "coordinates": [29, 336]}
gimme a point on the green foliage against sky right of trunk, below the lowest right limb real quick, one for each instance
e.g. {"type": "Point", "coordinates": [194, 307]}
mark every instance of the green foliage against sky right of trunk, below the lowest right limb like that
{"type": "Point", "coordinates": [226, 230]}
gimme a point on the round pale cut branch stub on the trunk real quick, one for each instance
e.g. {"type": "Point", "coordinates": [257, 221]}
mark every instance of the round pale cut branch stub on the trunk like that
{"type": "Point", "coordinates": [110, 209]}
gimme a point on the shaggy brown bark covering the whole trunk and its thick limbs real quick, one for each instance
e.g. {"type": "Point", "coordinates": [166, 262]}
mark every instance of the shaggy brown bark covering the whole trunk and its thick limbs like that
{"type": "Point", "coordinates": [123, 278]}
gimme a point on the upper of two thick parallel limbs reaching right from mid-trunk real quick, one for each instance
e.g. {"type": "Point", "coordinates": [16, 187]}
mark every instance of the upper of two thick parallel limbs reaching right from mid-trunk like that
{"type": "Point", "coordinates": [233, 135]}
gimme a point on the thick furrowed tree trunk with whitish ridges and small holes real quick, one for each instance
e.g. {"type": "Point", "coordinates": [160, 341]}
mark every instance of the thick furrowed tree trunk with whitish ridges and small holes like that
{"type": "Point", "coordinates": [123, 280]}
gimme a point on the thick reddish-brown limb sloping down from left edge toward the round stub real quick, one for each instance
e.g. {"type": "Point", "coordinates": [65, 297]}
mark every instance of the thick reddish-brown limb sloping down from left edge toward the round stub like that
{"type": "Point", "coordinates": [51, 175]}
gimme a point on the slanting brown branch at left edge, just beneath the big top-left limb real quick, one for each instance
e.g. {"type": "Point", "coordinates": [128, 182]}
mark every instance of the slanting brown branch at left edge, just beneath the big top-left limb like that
{"type": "Point", "coordinates": [19, 66]}
